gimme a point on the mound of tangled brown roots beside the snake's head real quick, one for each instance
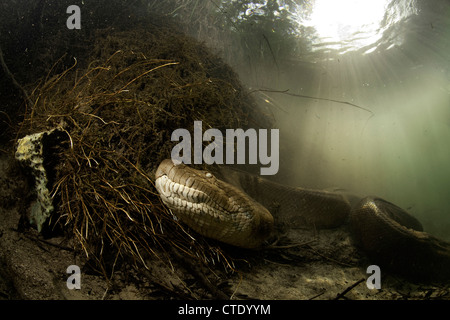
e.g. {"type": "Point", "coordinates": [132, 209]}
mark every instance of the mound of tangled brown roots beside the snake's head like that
{"type": "Point", "coordinates": [118, 114]}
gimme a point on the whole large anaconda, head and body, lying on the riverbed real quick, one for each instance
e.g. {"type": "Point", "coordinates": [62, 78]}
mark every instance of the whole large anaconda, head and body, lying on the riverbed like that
{"type": "Point", "coordinates": [239, 208]}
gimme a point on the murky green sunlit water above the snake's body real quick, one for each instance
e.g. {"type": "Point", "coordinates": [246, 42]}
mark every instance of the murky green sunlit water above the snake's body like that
{"type": "Point", "coordinates": [390, 57]}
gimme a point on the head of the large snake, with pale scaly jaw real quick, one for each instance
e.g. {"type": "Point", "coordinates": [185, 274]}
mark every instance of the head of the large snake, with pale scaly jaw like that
{"type": "Point", "coordinates": [212, 207]}
